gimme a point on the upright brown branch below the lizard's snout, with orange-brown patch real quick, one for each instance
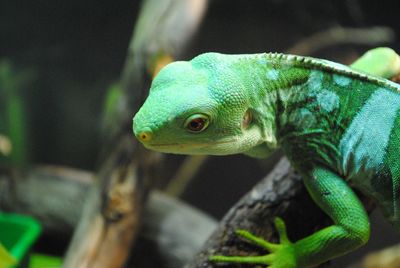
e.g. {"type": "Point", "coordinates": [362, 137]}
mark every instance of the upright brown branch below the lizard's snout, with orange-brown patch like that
{"type": "Point", "coordinates": [111, 211]}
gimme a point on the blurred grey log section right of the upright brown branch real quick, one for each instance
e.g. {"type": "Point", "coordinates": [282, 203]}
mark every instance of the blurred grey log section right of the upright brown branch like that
{"type": "Point", "coordinates": [177, 232]}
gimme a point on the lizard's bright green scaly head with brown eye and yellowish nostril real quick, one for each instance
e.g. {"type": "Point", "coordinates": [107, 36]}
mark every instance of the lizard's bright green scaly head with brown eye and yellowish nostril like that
{"type": "Point", "coordinates": [197, 107]}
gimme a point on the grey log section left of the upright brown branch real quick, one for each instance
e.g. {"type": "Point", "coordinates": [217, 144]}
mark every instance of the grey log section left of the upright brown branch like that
{"type": "Point", "coordinates": [53, 195]}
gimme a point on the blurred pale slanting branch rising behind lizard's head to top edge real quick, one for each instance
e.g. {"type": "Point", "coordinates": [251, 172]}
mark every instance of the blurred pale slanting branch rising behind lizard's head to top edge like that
{"type": "Point", "coordinates": [162, 30]}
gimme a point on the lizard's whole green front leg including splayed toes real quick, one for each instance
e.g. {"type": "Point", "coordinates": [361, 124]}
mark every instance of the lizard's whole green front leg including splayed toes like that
{"type": "Point", "coordinates": [349, 231]}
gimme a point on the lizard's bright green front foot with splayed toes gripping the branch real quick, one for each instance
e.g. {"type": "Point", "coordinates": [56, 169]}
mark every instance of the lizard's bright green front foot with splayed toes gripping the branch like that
{"type": "Point", "coordinates": [281, 254]}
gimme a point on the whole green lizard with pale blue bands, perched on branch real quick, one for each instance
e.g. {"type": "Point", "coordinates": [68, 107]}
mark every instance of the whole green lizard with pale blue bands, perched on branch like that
{"type": "Point", "coordinates": [338, 127]}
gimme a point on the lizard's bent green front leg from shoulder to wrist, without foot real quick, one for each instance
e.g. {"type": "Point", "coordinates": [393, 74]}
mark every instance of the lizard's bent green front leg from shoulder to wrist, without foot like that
{"type": "Point", "coordinates": [351, 224]}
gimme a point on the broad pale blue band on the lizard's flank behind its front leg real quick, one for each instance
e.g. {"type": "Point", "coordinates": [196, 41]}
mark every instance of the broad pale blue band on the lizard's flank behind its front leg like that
{"type": "Point", "coordinates": [363, 146]}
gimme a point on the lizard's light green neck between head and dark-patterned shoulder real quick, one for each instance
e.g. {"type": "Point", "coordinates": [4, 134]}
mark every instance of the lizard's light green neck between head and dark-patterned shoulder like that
{"type": "Point", "coordinates": [272, 84]}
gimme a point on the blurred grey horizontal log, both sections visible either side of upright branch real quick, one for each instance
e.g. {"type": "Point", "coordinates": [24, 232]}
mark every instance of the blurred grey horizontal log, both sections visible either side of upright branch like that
{"type": "Point", "coordinates": [50, 194]}
